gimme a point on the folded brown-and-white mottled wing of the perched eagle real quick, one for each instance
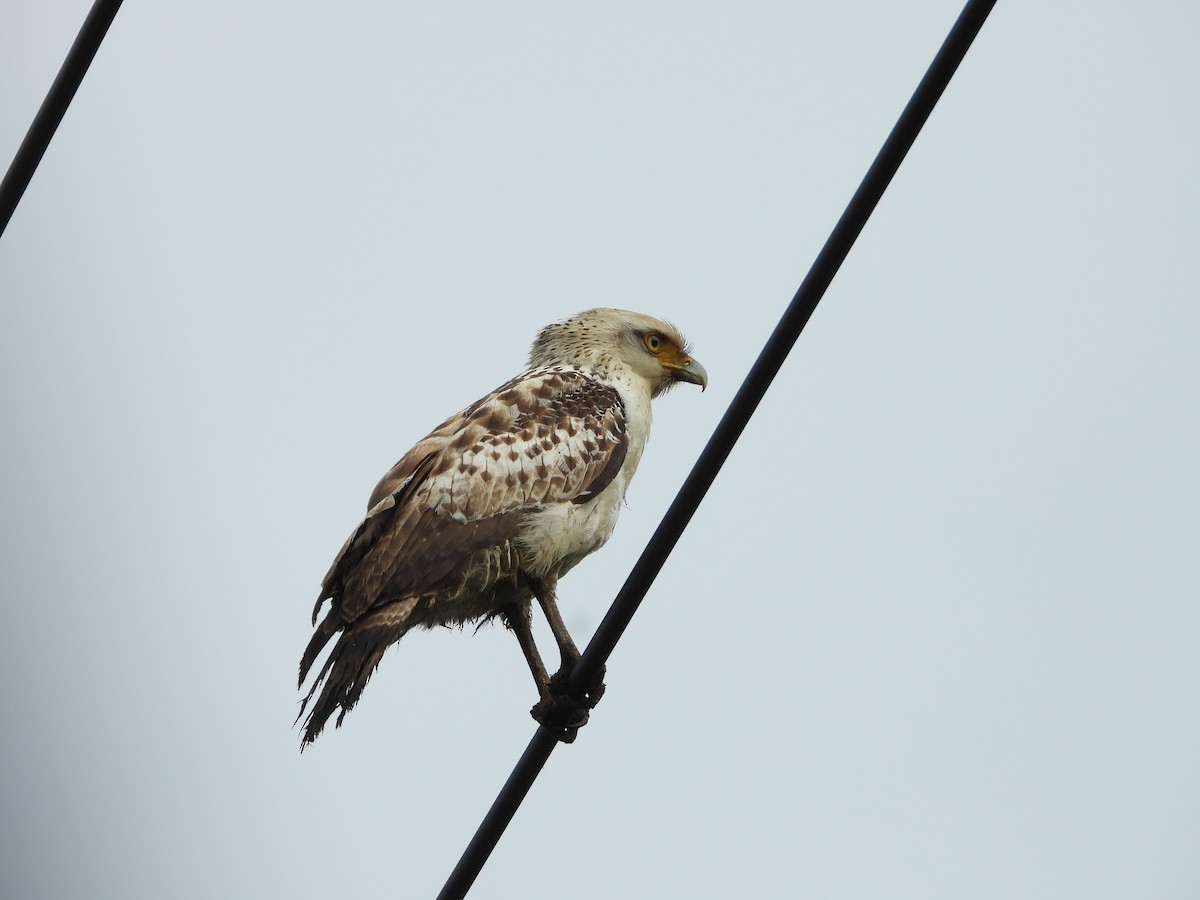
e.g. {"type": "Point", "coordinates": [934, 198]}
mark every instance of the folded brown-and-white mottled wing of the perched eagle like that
{"type": "Point", "coordinates": [544, 439]}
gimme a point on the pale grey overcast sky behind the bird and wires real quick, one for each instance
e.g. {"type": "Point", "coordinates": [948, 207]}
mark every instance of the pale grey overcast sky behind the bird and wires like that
{"type": "Point", "coordinates": [933, 634]}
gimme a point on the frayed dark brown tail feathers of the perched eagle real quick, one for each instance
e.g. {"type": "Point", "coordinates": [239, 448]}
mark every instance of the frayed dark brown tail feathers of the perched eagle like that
{"type": "Point", "coordinates": [350, 665]}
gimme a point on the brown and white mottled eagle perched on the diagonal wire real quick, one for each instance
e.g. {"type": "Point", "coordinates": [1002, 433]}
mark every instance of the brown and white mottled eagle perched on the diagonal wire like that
{"type": "Point", "coordinates": [500, 502]}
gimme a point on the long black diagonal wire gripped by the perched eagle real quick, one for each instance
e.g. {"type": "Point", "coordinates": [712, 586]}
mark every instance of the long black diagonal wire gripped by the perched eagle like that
{"type": "Point", "coordinates": [718, 449]}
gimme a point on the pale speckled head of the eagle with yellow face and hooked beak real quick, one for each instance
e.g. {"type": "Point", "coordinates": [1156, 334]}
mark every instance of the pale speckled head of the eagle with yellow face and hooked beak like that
{"type": "Point", "coordinates": [652, 349]}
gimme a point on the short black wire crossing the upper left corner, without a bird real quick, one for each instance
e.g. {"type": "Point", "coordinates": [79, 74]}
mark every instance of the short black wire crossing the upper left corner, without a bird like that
{"type": "Point", "coordinates": [55, 107]}
